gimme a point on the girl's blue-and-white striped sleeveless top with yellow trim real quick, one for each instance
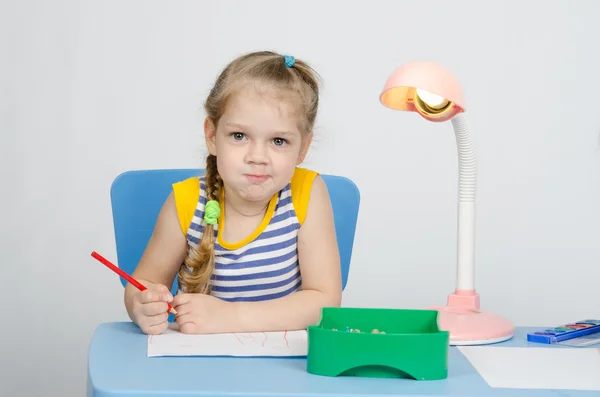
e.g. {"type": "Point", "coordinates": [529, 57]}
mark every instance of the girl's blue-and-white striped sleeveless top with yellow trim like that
{"type": "Point", "coordinates": [265, 264]}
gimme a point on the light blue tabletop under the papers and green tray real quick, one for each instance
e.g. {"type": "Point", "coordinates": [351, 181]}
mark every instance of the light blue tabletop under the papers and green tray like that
{"type": "Point", "coordinates": [118, 367]}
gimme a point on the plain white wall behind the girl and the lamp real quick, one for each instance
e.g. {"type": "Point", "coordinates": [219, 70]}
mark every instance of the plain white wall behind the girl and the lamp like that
{"type": "Point", "coordinates": [91, 89]}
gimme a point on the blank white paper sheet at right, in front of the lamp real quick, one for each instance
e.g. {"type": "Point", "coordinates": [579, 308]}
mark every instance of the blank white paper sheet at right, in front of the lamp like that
{"type": "Point", "coordinates": [536, 368]}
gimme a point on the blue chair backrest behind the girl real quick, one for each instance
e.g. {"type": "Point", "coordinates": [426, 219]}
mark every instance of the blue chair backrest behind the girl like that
{"type": "Point", "coordinates": [137, 197]}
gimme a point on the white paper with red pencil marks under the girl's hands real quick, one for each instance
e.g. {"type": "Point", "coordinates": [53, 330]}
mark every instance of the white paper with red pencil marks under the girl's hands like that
{"type": "Point", "coordinates": [266, 344]}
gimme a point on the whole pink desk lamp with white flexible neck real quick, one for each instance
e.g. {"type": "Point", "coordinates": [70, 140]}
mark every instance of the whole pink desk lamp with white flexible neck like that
{"type": "Point", "coordinates": [435, 93]}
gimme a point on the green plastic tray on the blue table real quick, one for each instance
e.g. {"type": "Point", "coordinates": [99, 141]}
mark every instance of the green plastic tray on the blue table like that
{"type": "Point", "coordinates": [412, 347]}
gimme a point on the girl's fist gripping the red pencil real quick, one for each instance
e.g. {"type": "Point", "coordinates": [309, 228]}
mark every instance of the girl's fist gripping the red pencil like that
{"type": "Point", "coordinates": [150, 309]}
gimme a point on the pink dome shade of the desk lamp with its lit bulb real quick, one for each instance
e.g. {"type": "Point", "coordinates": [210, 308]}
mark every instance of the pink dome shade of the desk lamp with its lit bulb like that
{"type": "Point", "coordinates": [410, 88]}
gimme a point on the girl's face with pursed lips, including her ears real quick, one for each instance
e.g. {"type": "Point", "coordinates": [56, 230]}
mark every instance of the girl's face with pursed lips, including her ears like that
{"type": "Point", "coordinates": [257, 143]}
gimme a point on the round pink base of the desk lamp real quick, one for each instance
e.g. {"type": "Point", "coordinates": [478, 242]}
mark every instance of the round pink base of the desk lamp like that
{"type": "Point", "coordinates": [468, 325]}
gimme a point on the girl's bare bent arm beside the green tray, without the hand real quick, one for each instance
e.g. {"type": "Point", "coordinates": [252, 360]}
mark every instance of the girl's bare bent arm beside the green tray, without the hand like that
{"type": "Point", "coordinates": [321, 275]}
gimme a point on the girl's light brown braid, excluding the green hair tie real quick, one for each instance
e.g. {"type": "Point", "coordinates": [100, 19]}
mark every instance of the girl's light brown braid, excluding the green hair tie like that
{"type": "Point", "coordinates": [201, 262]}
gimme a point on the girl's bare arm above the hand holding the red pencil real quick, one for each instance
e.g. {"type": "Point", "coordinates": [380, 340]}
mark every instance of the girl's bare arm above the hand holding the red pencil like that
{"type": "Point", "coordinates": [163, 255]}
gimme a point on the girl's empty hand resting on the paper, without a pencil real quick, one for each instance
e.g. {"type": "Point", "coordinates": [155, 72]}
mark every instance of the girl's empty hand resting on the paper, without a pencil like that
{"type": "Point", "coordinates": [202, 314]}
